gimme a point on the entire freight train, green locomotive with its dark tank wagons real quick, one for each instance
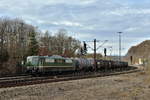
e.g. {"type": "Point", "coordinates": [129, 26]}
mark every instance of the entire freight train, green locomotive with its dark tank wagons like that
{"type": "Point", "coordinates": [55, 63]}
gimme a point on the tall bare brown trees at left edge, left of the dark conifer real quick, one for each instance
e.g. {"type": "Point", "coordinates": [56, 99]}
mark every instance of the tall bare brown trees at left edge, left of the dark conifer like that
{"type": "Point", "coordinates": [14, 40]}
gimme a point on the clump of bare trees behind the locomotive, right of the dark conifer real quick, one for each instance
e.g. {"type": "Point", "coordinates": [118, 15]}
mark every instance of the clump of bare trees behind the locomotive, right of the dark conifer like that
{"type": "Point", "coordinates": [60, 44]}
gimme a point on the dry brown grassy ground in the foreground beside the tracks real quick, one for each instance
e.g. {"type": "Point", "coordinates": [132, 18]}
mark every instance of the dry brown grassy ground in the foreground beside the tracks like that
{"type": "Point", "coordinates": [122, 87]}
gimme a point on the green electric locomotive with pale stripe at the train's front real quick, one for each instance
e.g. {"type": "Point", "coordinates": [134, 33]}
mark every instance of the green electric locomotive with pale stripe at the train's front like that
{"type": "Point", "coordinates": [43, 64]}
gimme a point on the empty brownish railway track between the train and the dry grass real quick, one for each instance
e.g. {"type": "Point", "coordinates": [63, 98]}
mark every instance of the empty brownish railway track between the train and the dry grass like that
{"type": "Point", "coordinates": [29, 80]}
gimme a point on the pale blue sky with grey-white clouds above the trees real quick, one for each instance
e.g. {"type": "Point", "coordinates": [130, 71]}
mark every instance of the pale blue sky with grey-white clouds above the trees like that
{"type": "Point", "coordinates": [86, 19]}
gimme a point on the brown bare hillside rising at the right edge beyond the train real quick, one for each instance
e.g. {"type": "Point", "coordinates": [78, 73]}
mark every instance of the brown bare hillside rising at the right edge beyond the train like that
{"type": "Point", "coordinates": [139, 53]}
